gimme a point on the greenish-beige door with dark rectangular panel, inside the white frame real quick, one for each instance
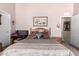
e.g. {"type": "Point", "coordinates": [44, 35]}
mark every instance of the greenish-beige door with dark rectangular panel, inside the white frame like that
{"type": "Point", "coordinates": [66, 29]}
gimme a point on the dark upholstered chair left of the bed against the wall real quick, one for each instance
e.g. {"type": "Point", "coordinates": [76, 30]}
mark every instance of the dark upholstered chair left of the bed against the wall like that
{"type": "Point", "coordinates": [19, 35]}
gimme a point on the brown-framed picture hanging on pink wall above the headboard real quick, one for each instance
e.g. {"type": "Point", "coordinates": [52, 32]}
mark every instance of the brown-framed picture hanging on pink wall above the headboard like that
{"type": "Point", "coordinates": [40, 21]}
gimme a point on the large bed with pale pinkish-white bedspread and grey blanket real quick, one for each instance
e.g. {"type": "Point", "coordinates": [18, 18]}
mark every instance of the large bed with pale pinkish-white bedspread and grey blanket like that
{"type": "Point", "coordinates": [30, 48]}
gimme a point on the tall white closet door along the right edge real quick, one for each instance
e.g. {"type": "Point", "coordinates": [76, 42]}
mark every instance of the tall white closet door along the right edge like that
{"type": "Point", "coordinates": [75, 30]}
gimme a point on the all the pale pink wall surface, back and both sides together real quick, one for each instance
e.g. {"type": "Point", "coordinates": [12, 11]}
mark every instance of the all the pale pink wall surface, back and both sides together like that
{"type": "Point", "coordinates": [24, 14]}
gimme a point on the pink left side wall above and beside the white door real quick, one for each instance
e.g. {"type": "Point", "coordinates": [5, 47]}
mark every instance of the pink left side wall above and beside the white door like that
{"type": "Point", "coordinates": [9, 8]}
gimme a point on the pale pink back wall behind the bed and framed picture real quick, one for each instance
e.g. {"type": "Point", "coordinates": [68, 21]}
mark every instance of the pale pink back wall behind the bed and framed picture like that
{"type": "Point", "coordinates": [25, 13]}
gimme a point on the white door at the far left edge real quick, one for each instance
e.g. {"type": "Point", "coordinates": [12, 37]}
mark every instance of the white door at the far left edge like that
{"type": "Point", "coordinates": [5, 30]}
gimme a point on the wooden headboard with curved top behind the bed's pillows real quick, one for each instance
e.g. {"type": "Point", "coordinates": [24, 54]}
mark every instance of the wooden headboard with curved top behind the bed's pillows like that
{"type": "Point", "coordinates": [45, 31]}
